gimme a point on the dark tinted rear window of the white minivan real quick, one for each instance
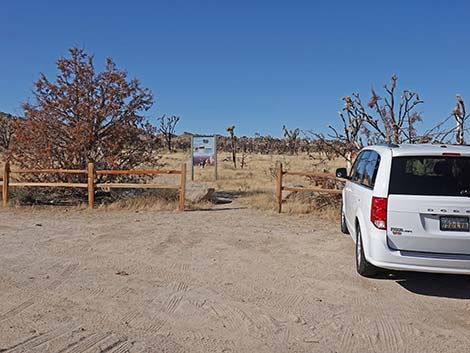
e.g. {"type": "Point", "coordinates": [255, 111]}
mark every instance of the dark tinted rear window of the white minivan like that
{"type": "Point", "coordinates": [430, 175]}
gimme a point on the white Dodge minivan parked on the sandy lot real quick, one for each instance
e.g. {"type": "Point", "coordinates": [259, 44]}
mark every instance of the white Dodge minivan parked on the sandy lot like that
{"type": "Point", "coordinates": [407, 207]}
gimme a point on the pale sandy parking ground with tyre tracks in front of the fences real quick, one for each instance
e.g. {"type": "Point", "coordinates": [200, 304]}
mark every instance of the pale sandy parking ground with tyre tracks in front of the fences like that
{"type": "Point", "coordinates": [225, 280]}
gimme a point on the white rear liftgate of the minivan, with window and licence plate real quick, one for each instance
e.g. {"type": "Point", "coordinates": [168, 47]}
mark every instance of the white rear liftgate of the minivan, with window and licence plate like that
{"type": "Point", "coordinates": [429, 204]}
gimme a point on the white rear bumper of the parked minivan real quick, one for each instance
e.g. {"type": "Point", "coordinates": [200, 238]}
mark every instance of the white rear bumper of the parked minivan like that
{"type": "Point", "coordinates": [381, 255]}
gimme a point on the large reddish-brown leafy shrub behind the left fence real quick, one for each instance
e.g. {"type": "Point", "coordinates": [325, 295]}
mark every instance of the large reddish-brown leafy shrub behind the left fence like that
{"type": "Point", "coordinates": [85, 116]}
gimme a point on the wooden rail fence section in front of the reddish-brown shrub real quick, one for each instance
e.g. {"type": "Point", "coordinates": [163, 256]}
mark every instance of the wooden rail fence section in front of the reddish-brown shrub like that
{"type": "Point", "coordinates": [91, 184]}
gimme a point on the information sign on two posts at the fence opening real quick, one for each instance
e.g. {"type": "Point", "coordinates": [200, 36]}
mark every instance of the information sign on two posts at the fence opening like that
{"type": "Point", "coordinates": [203, 152]}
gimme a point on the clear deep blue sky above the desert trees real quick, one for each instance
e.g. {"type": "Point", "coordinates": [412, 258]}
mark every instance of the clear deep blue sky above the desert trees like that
{"type": "Point", "coordinates": [255, 64]}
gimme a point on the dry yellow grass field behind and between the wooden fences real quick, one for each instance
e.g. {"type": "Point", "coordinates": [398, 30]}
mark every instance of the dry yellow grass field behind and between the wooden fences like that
{"type": "Point", "coordinates": [253, 186]}
